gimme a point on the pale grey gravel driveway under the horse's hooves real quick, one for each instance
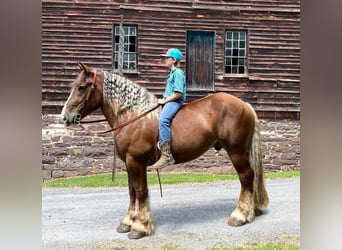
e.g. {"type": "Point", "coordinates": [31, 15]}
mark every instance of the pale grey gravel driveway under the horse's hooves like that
{"type": "Point", "coordinates": [192, 216]}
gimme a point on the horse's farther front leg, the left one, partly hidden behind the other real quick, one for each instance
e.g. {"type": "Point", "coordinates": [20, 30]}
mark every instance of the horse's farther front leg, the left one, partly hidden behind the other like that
{"type": "Point", "coordinates": [127, 222]}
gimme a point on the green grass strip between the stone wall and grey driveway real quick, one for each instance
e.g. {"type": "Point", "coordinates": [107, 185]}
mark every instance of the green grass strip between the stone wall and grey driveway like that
{"type": "Point", "coordinates": [105, 180]}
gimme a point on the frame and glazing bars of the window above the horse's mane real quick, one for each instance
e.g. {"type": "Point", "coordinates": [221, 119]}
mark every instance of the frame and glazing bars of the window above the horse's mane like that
{"type": "Point", "coordinates": [114, 51]}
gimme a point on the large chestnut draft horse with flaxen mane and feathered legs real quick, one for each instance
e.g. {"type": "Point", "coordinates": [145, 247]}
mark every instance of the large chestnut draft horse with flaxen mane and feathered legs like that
{"type": "Point", "coordinates": [217, 119]}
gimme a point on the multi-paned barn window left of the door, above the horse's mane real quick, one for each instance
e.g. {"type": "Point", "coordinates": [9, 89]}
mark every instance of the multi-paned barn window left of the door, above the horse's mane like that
{"type": "Point", "coordinates": [128, 47]}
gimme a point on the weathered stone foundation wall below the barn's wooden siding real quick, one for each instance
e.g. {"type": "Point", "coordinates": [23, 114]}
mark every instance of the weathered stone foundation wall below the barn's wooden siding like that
{"type": "Point", "coordinates": [67, 152]}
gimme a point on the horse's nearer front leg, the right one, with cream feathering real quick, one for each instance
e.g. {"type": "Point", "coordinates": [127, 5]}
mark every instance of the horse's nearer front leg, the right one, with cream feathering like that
{"type": "Point", "coordinates": [143, 224]}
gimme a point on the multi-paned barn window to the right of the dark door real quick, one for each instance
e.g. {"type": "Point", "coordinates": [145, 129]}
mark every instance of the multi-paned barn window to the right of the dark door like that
{"type": "Point", "coordinates": [235, 59]}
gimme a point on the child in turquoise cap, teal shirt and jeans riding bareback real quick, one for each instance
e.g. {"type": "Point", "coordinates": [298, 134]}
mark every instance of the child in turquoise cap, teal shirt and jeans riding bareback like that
{"type": "Point", "coordinates": [172, 101]}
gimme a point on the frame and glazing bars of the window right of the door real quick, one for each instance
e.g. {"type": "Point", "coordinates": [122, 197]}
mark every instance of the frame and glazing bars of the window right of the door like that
{"type": "Point", "coordinates": [246, 59]}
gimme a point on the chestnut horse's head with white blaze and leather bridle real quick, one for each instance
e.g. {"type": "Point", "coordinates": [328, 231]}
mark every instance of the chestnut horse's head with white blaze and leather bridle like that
{"type": "Point", "coordinates": [85, 96]}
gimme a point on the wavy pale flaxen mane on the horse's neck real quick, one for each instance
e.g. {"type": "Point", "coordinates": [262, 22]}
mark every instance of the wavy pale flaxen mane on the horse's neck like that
{"type": "Point", "coordinates": [124, 95]}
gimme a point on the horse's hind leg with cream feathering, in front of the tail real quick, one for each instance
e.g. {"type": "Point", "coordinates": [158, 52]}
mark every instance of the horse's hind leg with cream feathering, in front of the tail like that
{"type": "Point", "coordinates": [244, 211]}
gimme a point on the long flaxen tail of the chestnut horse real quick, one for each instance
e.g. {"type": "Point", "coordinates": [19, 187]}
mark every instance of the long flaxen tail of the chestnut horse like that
{"type": "Point", "coordinates": [255, 159]}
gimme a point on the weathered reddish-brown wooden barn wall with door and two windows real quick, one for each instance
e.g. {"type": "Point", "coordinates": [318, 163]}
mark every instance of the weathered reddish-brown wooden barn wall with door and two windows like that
{"type": "Point", "coordinates": [250, 49]}
